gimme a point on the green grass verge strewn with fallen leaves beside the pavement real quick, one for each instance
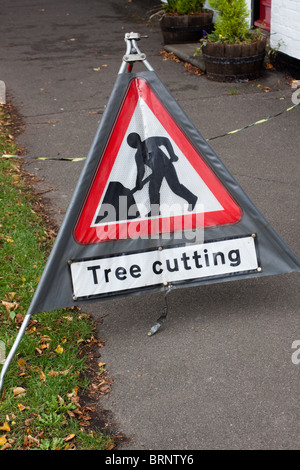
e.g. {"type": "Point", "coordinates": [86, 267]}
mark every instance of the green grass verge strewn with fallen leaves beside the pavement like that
{"type": "Point", "coordinates": [40, 404]}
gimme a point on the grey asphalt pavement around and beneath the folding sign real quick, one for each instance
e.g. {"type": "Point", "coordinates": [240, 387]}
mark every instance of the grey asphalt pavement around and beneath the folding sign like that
{"type": "Point", "coordinates": [219, 373]}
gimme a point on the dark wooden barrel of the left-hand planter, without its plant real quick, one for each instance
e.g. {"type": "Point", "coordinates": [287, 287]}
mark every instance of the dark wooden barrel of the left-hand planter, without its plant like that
{"type": "Point", "coordinates": [178, 29]}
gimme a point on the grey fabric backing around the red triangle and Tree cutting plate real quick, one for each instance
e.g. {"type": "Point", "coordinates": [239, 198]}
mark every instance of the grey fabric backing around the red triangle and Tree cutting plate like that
{"type": "Point", "coordinates": [55, 287]}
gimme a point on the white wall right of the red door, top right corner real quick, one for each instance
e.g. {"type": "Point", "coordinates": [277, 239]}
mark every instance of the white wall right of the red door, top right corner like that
{"type": "Point", "coordinates": [285, 27]}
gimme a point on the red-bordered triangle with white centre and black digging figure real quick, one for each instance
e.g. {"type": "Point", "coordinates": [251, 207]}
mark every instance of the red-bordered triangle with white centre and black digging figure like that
{"type": "Point", "coordinates": [150, 177]}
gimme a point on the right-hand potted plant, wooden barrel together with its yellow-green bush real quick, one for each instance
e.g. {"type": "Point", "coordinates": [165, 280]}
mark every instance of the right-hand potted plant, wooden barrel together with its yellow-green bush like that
{"type": "Point", "coordinates": [233, 52]}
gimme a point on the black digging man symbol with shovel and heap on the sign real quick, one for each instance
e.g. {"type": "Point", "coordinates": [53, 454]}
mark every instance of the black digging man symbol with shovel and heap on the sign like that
{"type": "Point", "coordinates": [148, 153]}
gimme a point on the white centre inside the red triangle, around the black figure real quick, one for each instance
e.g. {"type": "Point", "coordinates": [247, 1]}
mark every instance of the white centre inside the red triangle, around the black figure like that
{"type": "Point", "coordinates": [124, 171]}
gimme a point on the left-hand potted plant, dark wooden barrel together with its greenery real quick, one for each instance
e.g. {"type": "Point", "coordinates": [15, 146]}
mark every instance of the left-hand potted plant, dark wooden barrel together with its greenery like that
{"type": "Point", "coordinates": [184, 20]}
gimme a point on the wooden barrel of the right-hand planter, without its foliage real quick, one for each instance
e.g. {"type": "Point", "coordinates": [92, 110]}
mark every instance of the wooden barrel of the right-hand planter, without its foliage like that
{"type": "Point", "coordinates": [234, 62]}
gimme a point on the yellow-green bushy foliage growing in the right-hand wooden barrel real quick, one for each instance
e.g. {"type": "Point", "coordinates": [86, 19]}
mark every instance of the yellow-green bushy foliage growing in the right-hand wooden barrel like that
{"type": "Point", "coordinates": [231, 23]}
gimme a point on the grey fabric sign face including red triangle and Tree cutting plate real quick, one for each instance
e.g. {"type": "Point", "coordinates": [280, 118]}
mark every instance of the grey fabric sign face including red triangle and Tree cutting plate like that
{"type": "Point", "coordinates": [100, 254]}
